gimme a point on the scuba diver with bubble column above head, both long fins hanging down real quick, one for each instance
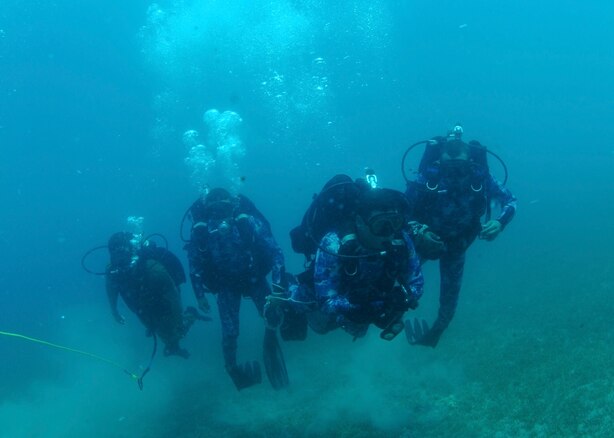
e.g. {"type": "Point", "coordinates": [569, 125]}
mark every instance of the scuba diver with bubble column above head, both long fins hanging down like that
{"type": "Point", "coordinates": [231, 251]}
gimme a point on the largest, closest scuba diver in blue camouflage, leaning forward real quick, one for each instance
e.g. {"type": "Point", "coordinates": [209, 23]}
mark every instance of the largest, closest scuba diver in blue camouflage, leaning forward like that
{"type": "Point", "coordinates": [362, 266]}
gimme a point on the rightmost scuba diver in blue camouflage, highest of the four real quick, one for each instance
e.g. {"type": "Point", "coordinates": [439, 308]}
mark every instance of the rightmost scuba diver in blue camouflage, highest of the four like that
{"type": "Point", "coordinates": [452, 191]}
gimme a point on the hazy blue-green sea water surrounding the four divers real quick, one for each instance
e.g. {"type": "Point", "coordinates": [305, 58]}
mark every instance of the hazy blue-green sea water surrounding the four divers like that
{"type": "Point", "coordinates": [94, 101]}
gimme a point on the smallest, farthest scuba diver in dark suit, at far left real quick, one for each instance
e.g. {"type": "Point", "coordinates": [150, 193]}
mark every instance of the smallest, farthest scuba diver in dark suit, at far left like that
{"type": "Point", "coordinates": [148, 279]}
